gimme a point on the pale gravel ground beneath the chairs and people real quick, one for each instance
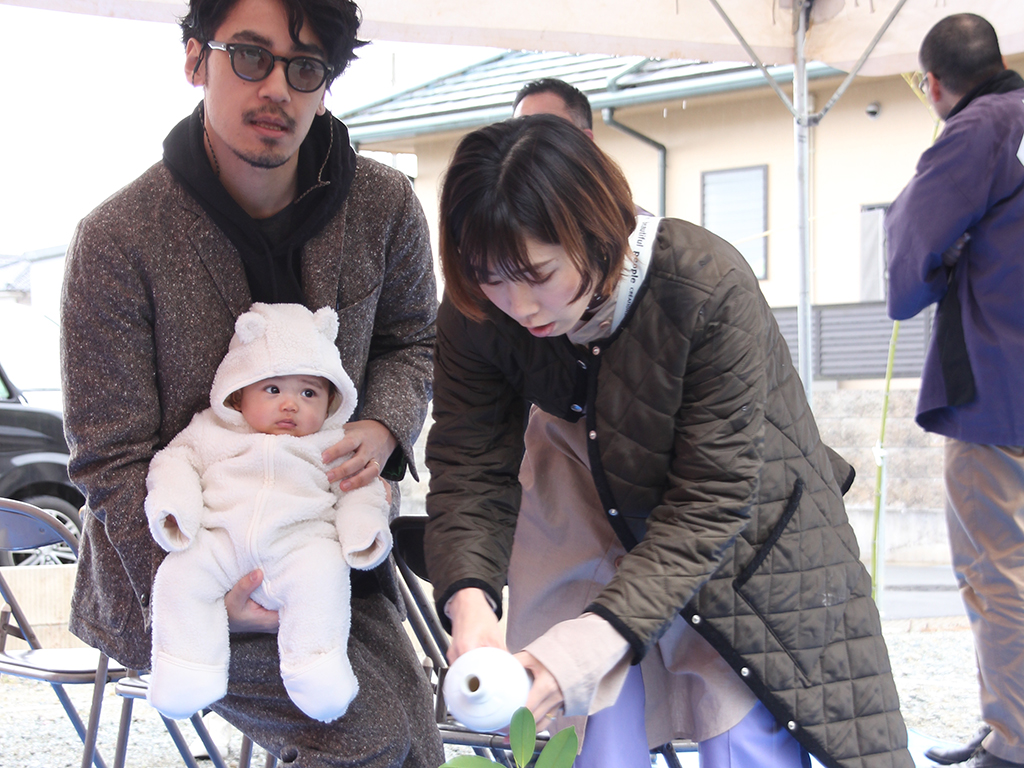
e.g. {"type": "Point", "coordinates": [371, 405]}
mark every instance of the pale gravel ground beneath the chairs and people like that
{"type": "Point", "coordinates": [933, 662]}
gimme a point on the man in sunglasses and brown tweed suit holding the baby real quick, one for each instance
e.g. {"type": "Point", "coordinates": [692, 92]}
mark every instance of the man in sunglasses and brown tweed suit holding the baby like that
{"type": "Point", "coordinates": [260, 197]}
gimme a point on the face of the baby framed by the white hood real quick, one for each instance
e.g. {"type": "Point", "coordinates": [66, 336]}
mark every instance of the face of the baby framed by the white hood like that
{"type": "Point", "coordinates": [286, 405]}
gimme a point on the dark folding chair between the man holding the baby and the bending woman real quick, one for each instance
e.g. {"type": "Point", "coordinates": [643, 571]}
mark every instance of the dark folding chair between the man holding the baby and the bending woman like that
{"type": "Point", "coordinates": [407, 534]}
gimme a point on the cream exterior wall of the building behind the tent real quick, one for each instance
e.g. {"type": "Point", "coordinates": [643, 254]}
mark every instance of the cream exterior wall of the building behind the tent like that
{"type": "Point", "coordinates": [856, 161]}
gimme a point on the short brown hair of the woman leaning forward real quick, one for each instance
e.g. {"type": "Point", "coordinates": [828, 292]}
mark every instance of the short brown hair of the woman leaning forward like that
{"type": "Point", "coordinates": [539, 178]}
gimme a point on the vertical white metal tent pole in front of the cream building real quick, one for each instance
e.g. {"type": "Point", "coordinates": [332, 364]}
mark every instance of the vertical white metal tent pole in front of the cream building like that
{"type": "Point", "coordinates": [802, 132]}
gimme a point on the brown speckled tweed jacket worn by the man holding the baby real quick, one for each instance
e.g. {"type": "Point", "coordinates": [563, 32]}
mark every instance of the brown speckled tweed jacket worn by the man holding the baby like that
{"type": "Point", "coordinates": [152, 292]}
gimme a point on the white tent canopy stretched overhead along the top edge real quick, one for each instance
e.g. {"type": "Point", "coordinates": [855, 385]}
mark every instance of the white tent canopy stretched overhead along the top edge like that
{"type": "Point", "coordinates": [839, 33]}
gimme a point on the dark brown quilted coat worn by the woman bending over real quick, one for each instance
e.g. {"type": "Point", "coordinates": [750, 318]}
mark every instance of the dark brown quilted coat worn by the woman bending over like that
{"type": "Point", "coordinates": [705, 452]}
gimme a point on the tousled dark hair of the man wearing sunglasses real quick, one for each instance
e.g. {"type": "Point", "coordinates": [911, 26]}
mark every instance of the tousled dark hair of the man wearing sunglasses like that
{"type": "Point", "coordinates": [334, 22]}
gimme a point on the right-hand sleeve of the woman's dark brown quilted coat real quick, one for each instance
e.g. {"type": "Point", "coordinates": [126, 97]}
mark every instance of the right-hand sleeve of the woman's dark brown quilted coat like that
{"type": "Point", "coordinates": [713, 480]}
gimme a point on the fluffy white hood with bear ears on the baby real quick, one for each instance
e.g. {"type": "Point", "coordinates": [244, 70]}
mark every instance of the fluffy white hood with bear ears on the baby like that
{"type": "Point", "coordinates": [283, 340]}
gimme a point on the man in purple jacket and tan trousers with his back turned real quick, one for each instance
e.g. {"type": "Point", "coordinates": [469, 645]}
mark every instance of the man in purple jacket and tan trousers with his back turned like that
{"type": "Point", "coordinates": [957, 238]}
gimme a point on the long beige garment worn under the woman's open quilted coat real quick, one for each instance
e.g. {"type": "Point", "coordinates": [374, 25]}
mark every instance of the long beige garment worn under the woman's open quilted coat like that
{"type": "Point", "coordinates": [565, 552]}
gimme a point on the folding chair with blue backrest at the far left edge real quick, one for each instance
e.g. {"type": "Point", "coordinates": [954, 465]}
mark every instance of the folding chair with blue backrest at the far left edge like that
{"type": "Point", "coordinates": [24, 527]}
